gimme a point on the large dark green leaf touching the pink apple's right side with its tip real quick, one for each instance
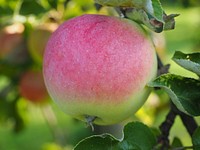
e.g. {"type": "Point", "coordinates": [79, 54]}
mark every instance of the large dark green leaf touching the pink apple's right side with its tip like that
{"type": "Point", "coordinates": [184, 92]}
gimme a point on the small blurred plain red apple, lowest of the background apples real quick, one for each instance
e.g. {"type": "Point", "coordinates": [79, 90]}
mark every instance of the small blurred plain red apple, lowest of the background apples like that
{"type": "Point", "coordinates": [32, 87]}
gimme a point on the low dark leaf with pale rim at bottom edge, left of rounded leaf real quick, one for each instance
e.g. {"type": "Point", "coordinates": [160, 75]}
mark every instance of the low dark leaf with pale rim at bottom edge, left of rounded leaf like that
{"type": "Point", "coordinates": [98, 142]}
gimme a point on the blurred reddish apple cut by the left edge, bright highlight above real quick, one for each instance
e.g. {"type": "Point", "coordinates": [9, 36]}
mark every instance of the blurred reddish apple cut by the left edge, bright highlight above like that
{"type": "Point", "coordinates": [13, 48]}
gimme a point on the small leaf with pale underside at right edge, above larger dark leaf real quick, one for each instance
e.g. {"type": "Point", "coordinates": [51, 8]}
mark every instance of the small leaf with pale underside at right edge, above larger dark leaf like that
{"type": "Point", "coordinates": [190, 62]}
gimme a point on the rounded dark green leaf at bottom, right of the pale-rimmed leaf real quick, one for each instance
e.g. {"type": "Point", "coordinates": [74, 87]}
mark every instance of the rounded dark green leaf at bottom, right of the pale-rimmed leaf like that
{"type": "Point", "coordinates": [139, 136]}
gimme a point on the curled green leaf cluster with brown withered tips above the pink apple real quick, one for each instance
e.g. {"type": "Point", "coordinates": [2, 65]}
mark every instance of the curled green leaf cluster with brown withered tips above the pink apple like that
{"type": "Point", "coordinates": [147, 12]}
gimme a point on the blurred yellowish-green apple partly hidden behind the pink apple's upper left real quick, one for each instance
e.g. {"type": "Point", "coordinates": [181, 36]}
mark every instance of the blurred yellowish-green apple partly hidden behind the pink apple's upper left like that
{"type": "Point", "coordinates": [37, 40]}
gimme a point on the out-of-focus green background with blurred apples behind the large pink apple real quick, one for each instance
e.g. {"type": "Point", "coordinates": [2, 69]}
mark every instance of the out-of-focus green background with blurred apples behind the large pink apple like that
{"type": "Point", "coordinates": [28, 117]}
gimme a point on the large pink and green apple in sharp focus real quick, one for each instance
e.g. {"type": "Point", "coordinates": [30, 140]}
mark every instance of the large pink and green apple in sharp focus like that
{"type": "Point", "coordinates": [98, 66]}
